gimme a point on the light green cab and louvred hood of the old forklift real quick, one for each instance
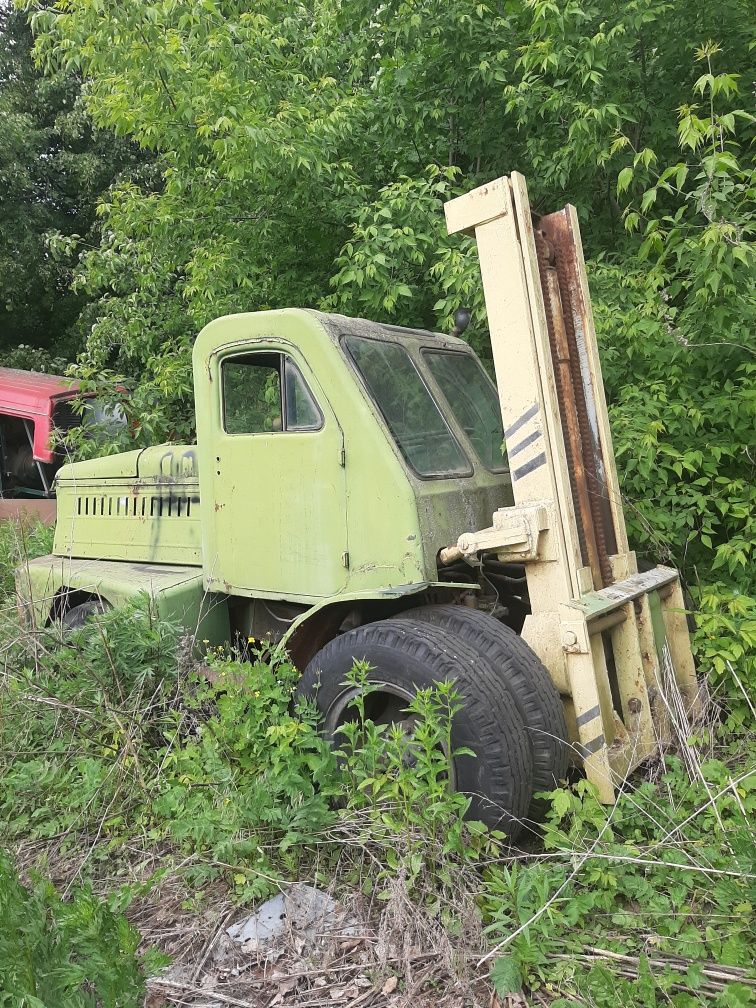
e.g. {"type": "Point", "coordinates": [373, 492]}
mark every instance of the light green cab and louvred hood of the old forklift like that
{"type": "Point", "coordinates": [335, 458]}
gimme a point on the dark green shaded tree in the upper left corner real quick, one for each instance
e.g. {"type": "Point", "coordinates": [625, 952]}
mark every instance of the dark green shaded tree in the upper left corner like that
{"type": "Point", "coordinates": [54, 168]}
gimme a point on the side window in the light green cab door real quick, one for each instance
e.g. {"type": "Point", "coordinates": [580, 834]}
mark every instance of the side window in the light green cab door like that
{"type": "Point", "coordinates": [267, 393]}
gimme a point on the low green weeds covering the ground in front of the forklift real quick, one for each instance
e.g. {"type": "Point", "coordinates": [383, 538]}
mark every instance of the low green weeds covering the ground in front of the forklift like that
{"type": "Point", "coordinates": [115, 738]}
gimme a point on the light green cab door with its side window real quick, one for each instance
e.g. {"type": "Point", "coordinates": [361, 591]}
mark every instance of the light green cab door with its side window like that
{"type": "Point", "coordinates": [280, 500]}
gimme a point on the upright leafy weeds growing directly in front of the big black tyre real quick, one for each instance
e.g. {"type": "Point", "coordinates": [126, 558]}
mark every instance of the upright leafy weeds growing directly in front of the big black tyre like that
{"type": "Point", "coordinates": [399, 807]}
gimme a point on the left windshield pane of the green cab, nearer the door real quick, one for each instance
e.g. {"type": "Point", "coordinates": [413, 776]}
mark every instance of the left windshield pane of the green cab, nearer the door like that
{"type": "Point", "coordinates": [408, 408]}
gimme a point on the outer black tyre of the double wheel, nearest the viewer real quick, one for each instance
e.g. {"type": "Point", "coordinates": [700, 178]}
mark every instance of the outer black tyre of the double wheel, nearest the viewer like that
{"type": "Point", "coordinates": [405, 658]}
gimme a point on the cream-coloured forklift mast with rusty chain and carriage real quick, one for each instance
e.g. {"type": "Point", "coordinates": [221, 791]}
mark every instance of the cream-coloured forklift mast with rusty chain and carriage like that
{"type": "Point", "coordinates": [614, 641]}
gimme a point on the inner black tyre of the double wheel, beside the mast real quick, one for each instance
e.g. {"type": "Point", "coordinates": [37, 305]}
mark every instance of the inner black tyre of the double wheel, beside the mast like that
{"type": "Point", "coordinates": [526, 679]}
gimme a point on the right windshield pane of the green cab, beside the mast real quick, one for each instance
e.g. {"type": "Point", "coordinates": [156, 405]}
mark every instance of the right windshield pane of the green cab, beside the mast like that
{"type": "Point", "coordinates": [473, 401]}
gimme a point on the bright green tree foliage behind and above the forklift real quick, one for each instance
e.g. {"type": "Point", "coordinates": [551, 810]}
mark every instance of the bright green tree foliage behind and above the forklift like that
{"type": "Point", "coordinates": [307, 149]}
